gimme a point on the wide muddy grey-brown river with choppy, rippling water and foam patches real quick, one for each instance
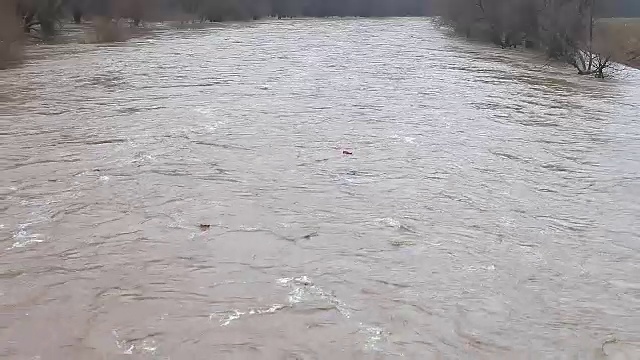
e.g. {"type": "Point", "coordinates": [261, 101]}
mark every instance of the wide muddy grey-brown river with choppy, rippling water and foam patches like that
{"type": "Point", "coordinates": [489, 209]}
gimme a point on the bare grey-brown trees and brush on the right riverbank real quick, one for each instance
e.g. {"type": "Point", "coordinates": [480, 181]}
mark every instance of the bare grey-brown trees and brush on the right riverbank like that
{"type": "Point", "coordinates": [563, 29]}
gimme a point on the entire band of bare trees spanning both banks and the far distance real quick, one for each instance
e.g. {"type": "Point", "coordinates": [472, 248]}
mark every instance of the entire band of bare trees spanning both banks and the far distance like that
{"type": "Point", "coordinates": [564, 29]}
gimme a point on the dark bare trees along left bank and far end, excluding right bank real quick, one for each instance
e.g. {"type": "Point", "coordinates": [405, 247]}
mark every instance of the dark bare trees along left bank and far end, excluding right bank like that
{"type": "Point", "coordinates": [43, 18]}
